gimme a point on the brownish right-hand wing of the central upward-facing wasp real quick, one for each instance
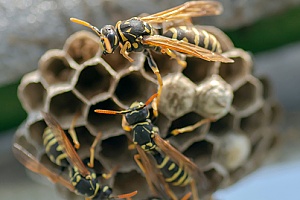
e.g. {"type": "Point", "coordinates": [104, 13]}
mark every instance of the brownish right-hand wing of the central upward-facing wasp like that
{"type": "Point", "coordinates": [181, 160]}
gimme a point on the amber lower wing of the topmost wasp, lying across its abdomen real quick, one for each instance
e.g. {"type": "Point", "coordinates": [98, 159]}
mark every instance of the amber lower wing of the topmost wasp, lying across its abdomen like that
{"type": "Point", "coordinates": [184, 47]}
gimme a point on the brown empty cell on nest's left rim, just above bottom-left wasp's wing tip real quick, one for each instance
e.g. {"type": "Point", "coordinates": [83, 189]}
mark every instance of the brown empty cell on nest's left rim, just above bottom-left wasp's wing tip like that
{"type": "Point", "coordinates": [33, 95]}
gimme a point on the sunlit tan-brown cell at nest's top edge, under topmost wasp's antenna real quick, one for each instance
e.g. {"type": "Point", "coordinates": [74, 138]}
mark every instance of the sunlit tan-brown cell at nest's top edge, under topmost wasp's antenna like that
{"type": "Point", "coordinates": [82, 46]}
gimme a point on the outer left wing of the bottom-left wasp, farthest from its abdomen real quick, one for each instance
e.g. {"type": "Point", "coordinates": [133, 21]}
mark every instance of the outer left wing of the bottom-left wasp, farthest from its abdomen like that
{"type": "Point", "coordinates": [31, 163]}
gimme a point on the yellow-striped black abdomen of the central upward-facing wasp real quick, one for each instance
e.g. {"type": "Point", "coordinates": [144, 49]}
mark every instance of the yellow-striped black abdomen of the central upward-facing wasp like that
{"type": "Point", "coordinates": [172, 173]}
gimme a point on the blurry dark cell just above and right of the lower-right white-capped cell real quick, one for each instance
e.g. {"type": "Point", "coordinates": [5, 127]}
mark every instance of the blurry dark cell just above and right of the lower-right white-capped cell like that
{"type": "Point", "coordinates": [254, 122]}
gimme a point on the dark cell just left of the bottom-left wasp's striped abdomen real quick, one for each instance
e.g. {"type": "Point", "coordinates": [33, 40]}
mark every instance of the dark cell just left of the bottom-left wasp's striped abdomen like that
{"type": "Point", "coordinates": [36, 131]}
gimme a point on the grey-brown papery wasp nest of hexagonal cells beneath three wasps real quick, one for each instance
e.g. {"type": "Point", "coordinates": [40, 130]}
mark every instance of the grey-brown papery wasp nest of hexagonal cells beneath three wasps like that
{"type": "Point", "coordinates": [79, 79]}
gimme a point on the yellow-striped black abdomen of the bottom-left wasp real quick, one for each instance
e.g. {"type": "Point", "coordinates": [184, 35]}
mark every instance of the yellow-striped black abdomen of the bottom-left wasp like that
{"type": "Point", "coordinates": [53, 149]}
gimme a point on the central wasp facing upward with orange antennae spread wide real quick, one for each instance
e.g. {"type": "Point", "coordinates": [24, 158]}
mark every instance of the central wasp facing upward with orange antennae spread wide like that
{"type": "Point", "coordinates": [176, 169]}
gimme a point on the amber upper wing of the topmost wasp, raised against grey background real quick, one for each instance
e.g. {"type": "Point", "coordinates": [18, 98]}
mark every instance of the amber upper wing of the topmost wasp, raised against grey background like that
{"type": "Point", "coordinates": [186, 11]}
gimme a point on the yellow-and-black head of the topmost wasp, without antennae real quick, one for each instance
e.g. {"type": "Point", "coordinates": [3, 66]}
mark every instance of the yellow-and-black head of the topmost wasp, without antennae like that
{"type": "Point", "coordinates": [109, 39]}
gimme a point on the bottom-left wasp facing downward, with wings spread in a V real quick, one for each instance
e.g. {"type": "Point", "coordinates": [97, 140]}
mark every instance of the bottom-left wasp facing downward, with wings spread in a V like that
{"type": "Point", "coordinates": [83, 180]}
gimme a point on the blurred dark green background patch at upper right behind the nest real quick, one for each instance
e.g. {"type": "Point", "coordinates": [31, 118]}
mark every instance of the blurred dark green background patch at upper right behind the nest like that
{"type": "Point", "coordinates": [269, 33]}
